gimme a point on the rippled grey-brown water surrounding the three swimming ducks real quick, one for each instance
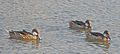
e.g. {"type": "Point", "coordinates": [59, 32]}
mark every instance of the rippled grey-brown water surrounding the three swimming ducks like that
{"type": "Point", "coordinates": [51, 17]}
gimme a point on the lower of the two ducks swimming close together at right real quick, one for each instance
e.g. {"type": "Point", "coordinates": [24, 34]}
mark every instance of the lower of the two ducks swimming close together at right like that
{"type": "Point", "coordinates": [105, 37]}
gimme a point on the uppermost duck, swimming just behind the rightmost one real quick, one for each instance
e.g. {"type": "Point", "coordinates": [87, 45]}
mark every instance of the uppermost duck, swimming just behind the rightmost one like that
{"type": "Point", "coordinates": [79, 24]}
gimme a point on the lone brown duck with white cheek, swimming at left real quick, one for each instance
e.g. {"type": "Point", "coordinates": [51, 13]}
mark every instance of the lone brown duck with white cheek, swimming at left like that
{"type": "Point", "coordinates": [24, 35]}
